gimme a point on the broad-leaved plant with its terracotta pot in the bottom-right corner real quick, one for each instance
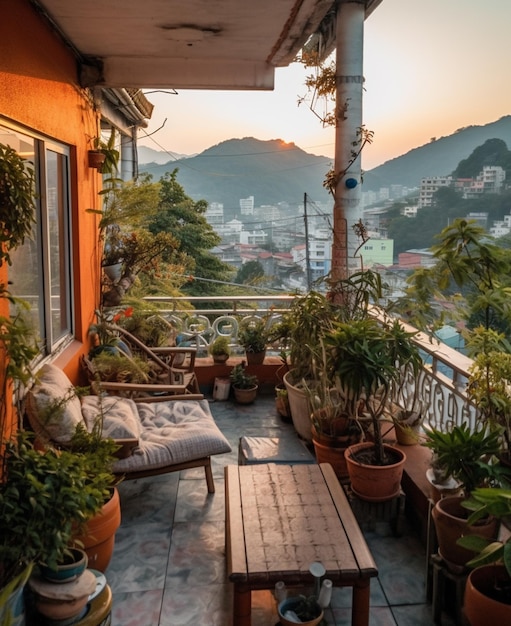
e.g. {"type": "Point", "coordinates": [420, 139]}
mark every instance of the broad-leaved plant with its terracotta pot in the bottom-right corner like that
{"type": "Point", "coordinates": [487, 597]}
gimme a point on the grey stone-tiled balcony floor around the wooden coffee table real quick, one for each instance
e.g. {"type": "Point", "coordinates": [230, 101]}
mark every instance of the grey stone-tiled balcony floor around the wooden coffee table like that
{"type": "Point", "coordinates": [168, 567]}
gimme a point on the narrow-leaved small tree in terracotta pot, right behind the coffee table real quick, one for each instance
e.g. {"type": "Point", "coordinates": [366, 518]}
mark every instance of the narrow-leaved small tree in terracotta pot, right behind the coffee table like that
{"type": "Point", "coordinates": [365, 357]}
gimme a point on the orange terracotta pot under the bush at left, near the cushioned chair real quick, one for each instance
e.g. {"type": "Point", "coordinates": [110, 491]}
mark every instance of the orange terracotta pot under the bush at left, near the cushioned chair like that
{"type": "Point", "coordinates": [99, 534]}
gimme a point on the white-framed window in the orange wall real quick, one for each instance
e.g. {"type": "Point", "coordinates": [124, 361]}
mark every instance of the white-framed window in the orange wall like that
{"type": "Point", "coordinates": [41, 272]}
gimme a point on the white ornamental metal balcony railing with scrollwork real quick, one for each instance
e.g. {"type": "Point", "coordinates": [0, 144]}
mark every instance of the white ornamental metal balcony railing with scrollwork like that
{"type": "Point", "coordinates": [441, 386]}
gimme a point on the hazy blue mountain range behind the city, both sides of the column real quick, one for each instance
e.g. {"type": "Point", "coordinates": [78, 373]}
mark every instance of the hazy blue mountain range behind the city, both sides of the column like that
{"type": "Point", "coordinates": [274, 171]}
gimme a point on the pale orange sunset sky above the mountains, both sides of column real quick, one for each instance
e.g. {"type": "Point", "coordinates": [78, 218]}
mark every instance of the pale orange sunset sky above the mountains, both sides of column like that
{"type": "Point", "coordinates": [430, 67]}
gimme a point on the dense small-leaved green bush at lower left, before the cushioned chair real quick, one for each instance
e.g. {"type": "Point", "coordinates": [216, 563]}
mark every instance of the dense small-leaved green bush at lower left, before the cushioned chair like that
{"type": "Point", "coordinates": [44, 498]}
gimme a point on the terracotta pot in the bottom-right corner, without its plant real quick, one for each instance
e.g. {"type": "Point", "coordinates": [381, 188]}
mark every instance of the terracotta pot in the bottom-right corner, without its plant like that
{"type": "Point", "coordinates": [481, 606]}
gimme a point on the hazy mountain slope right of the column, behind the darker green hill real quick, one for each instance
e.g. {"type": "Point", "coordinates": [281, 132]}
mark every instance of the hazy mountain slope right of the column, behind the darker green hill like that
{"type": "Point", "coordinates": [437, 158]}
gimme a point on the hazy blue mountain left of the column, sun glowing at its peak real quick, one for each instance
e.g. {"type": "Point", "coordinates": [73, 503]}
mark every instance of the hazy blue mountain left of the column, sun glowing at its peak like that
{"type": "Point", "coordinates": [272, 171]}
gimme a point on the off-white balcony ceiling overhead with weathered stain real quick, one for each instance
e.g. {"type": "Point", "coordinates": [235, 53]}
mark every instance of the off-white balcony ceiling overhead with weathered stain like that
{"type": "Point", "coordinates": [197, 44]}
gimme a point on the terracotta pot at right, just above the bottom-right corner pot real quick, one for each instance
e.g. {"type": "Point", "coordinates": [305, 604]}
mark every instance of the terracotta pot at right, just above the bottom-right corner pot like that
{"type": "Point", "coordinates": [450, 519]}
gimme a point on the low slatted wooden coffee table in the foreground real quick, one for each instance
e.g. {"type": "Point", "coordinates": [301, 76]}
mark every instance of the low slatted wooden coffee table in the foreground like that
{"type": "Point", "coordinates": [282, 518]}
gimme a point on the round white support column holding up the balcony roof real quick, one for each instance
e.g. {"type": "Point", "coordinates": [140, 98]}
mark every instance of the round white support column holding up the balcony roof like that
{"type": "Point", "coordinates": [349, 70]}
